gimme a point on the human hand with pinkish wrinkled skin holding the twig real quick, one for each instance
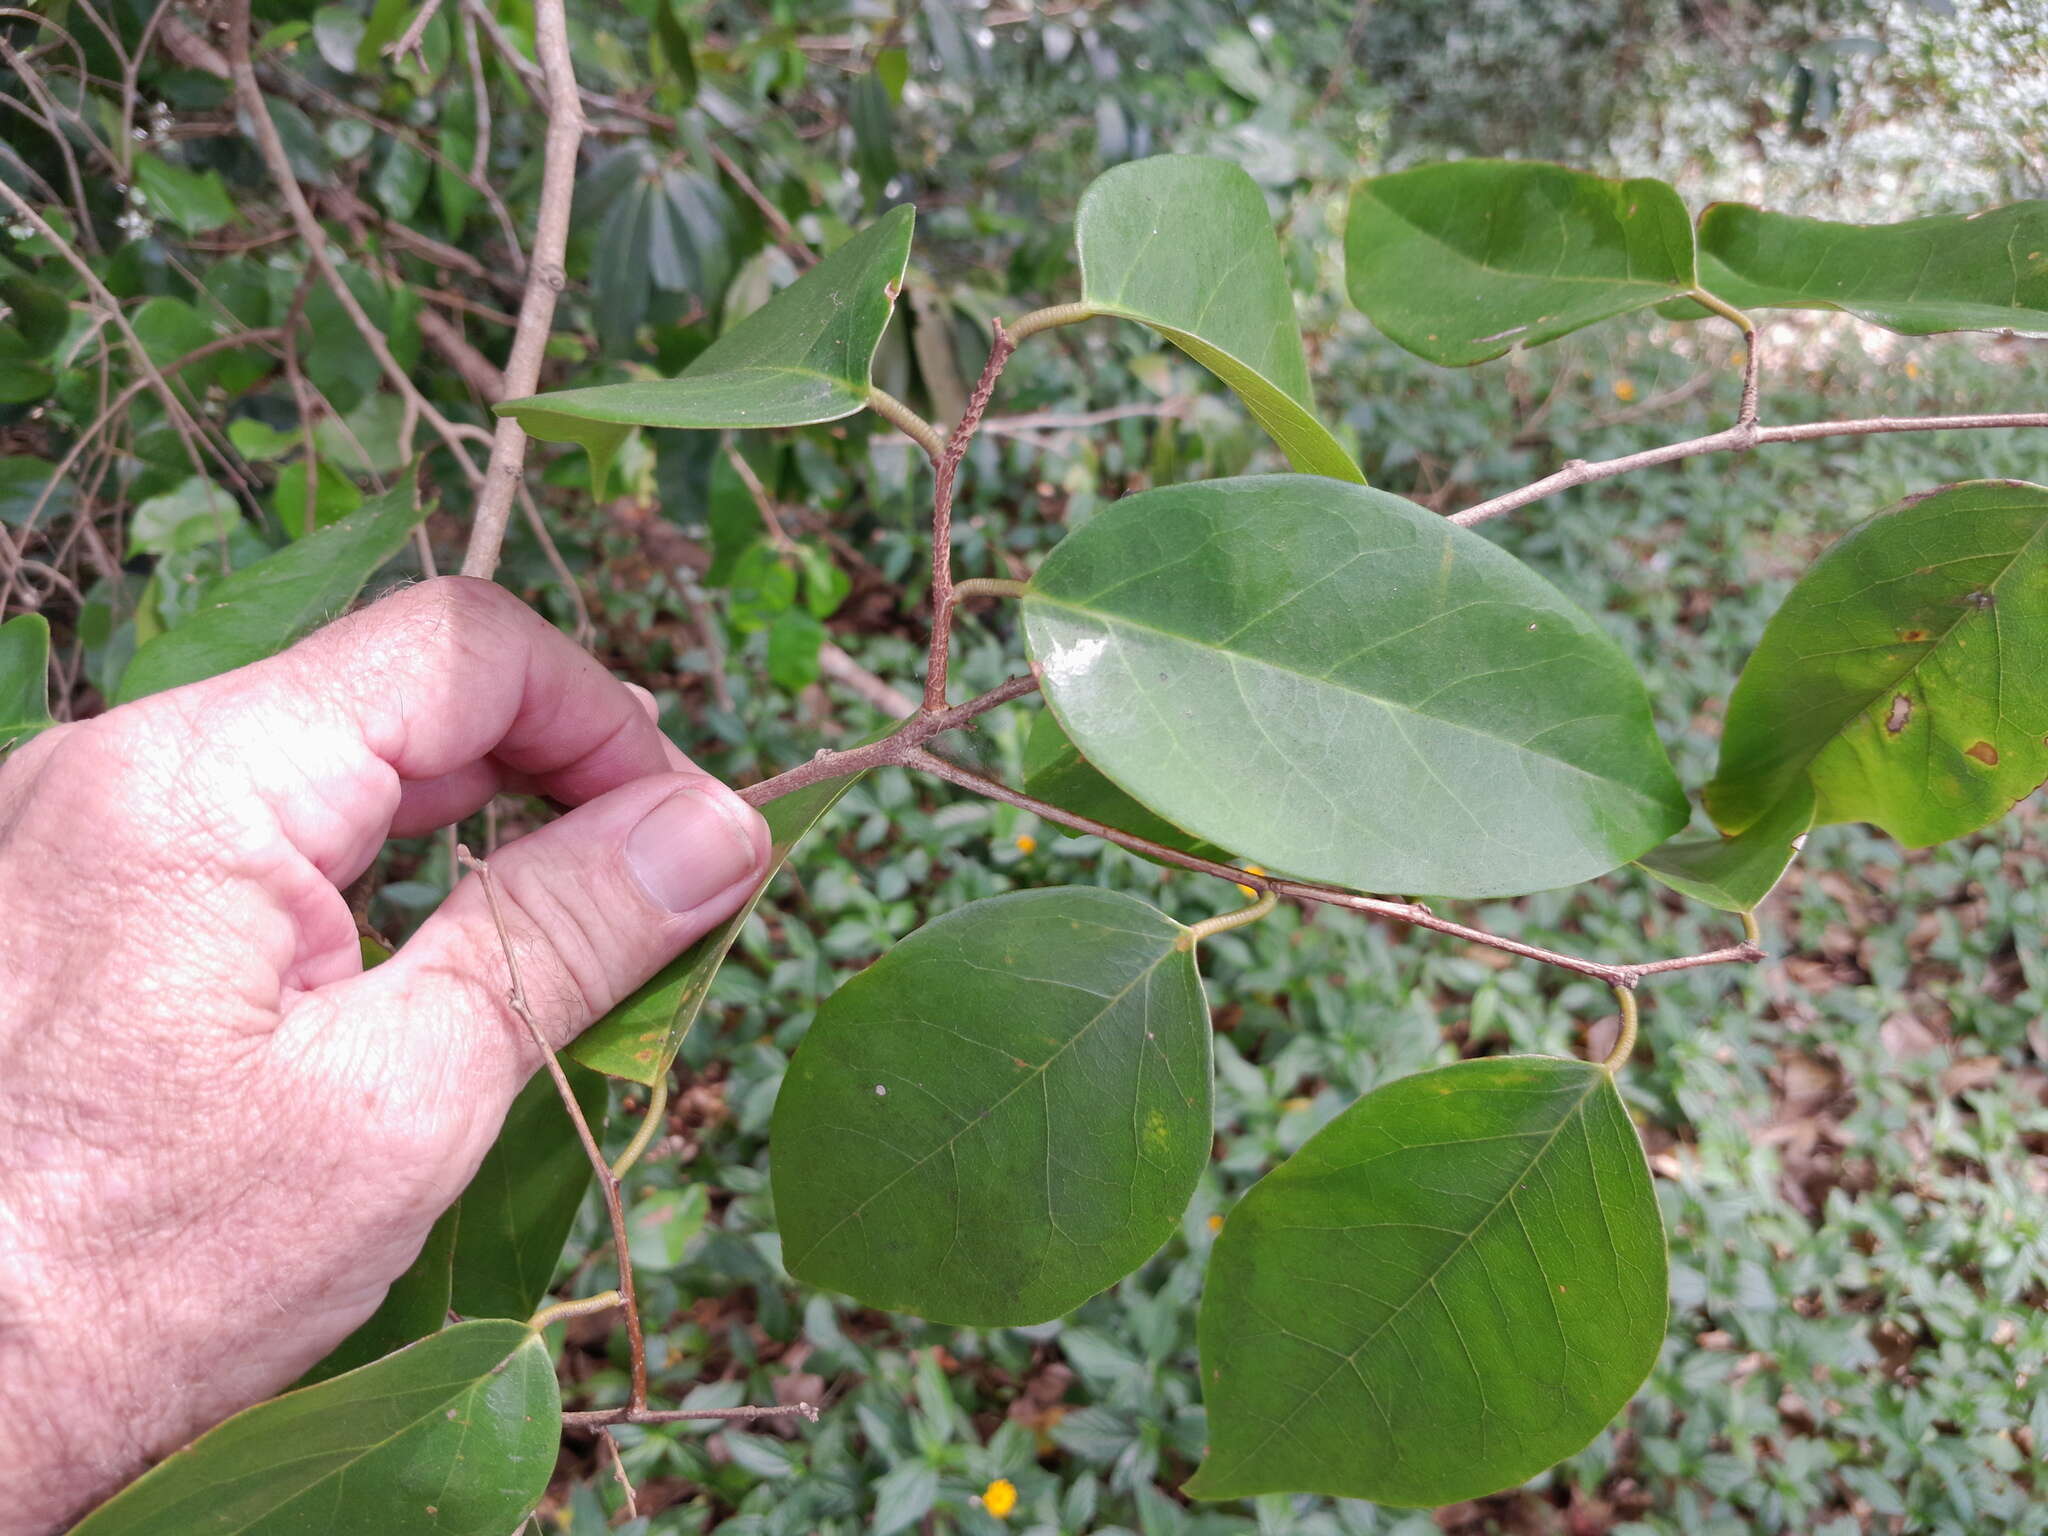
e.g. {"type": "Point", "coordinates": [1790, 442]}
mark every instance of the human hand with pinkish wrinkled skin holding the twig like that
{"type": "Point", "coordinates": [220, 1138]}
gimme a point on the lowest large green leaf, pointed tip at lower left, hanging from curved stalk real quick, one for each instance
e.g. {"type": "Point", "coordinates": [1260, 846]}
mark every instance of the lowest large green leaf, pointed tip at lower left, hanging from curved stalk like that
{"type": "Point", "coordinates": [1453, 1287]}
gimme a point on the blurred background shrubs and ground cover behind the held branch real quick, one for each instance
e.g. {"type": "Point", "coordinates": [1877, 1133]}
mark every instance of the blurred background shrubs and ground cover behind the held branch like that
{"type": "Point", "coordinates": [1846, 1142]}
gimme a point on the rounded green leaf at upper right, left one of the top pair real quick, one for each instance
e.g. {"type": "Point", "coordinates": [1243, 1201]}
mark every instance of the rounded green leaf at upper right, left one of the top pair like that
{"type": "Point", "coordinates": [1463, 261]}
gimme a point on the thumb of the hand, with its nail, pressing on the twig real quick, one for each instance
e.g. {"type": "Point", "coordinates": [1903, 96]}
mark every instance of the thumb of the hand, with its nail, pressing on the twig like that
{"type": "Point", "coordinates": [591, 906]}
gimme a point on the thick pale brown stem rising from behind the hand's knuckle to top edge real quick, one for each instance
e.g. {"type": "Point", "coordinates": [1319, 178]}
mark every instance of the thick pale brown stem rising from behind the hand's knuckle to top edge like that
{"type": "Point", "coordinates": [546, 278]}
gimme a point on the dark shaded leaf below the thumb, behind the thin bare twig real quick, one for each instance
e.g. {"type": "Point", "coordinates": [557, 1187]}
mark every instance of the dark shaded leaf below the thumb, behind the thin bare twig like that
{"type": "Point", "coordinates": [519, 1209]}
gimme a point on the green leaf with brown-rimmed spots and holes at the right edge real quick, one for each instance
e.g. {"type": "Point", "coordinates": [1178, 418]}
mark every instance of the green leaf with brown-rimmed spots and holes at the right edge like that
{"type": "Point", "coordinates": [1906, 675]}
